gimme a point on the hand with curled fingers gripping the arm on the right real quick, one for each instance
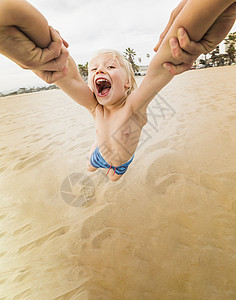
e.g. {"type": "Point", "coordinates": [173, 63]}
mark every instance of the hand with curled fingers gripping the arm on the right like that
{"type": "Point", "coordinates": [184, 51]}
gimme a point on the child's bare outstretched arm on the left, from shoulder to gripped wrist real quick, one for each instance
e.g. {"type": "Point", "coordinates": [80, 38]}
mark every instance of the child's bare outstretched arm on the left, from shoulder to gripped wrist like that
{"type": "Point", "coordinates": [74, 86]}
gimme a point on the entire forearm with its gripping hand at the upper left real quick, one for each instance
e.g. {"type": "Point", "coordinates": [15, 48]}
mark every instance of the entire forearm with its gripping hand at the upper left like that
{"type": "Point", "coordinates": [14, 44]}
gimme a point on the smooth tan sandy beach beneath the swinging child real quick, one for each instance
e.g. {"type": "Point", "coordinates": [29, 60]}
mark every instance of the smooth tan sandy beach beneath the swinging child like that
{"type": "Point", "coordinates": [166, 230]}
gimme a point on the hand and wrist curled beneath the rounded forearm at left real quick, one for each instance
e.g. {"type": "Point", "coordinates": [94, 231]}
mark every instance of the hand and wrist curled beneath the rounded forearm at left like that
{"type": "Point", "coordinates": [16, 46]}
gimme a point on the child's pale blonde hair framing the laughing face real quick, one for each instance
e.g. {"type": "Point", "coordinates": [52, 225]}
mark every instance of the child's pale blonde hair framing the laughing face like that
{"type": "Point", "coordinates": [124, 62]}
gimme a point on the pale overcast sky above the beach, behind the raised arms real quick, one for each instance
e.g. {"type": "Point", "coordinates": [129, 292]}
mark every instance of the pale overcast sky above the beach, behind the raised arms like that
{"type": "Point", "coordinates": [90, 25]}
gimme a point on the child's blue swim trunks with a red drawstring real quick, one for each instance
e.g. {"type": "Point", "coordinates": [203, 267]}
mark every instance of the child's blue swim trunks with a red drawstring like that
{"type": "Point", "coordinates": [97, 161]}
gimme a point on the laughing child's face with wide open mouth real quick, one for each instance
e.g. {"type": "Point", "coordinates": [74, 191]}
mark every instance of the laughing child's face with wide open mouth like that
{"type": "Point", "coordinates": [108, 79]}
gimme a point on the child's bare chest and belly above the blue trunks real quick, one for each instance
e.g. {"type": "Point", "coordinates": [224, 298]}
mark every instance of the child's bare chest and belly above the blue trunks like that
{"type": "Point", "coordinates": [118, 133]}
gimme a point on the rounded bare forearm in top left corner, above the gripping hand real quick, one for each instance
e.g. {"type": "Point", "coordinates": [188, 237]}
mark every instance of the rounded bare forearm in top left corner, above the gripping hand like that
{"type": "Point", "coordinates": [27, 18]}
